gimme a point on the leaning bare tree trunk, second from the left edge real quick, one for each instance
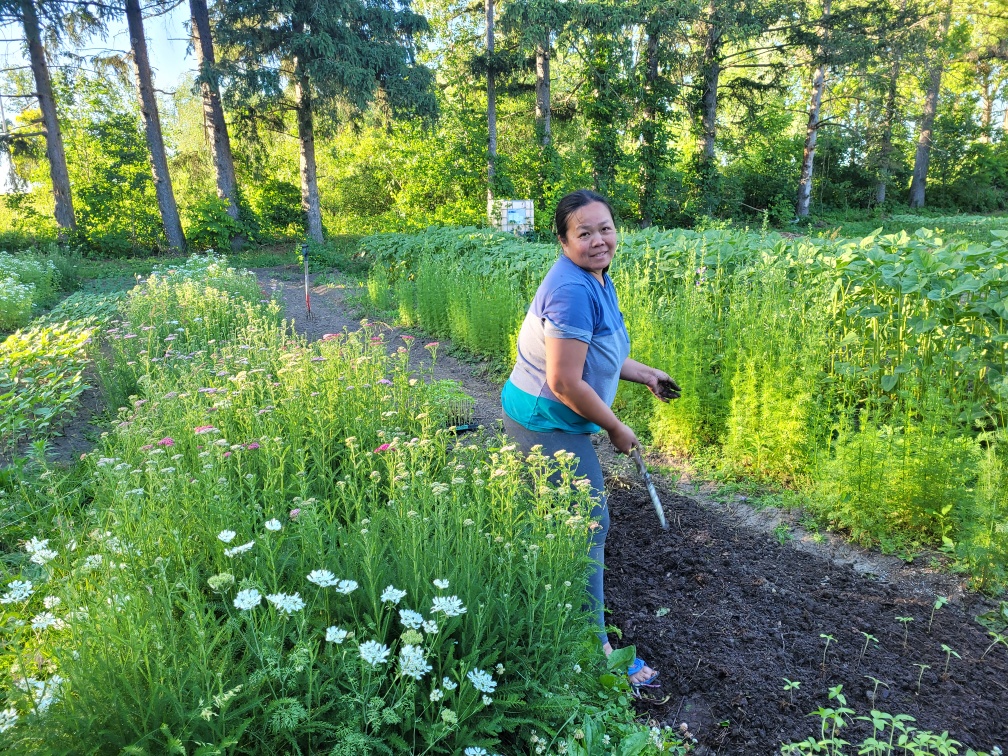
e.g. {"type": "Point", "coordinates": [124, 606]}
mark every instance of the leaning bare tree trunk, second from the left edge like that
{"type": "Point", "coordinates": [153, 130]}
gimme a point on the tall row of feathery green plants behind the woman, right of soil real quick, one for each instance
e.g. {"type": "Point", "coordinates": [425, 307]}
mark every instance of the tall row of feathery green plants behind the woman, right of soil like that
{"type": "Point", "coordinates": [867, 373]}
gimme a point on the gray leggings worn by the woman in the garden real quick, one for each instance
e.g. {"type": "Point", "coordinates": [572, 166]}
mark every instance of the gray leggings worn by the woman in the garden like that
{"type": "Point", "coordinates": [587, 465]}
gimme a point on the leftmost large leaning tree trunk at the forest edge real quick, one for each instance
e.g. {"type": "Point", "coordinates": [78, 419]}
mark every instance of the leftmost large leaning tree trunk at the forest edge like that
{"type": "Point", "coordinates": [55, 152]}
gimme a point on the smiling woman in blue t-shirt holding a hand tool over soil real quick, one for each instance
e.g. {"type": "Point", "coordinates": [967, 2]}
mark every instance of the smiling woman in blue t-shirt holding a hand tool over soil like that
{"type": "Point", "coordinates": [573, 351]}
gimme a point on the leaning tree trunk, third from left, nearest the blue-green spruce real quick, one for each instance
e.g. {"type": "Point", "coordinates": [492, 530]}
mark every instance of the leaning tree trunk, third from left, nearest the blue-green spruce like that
{"type": "Point", "coordinates": [217, 128]}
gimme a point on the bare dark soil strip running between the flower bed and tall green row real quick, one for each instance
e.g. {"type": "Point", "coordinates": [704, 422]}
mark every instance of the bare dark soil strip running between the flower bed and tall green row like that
{"type": "Point", "coordinates": [727, 612]}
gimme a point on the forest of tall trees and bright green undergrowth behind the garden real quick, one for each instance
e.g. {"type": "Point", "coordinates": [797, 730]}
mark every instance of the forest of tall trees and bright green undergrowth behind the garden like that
{"type": "Point", "coordinates": [349, 117]}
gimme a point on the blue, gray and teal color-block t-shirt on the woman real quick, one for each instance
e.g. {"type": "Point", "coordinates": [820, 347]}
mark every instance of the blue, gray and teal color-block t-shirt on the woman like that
{"type": "Point", "coordinates": [570, 304]}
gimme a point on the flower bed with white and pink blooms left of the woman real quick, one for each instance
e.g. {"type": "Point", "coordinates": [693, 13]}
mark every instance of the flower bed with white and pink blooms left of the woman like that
{"type": "Point", "coordinates": [298, 466]}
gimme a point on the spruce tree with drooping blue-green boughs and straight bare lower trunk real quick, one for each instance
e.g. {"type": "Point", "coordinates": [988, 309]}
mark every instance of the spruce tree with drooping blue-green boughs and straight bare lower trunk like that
{"type": "Point", "coordinates": [320, 58]}
